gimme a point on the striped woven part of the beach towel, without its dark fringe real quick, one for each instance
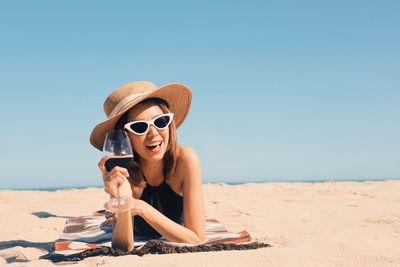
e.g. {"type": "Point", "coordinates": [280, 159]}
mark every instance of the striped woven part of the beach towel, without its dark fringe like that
{"type": "Point", "coordinates": [91, 232]}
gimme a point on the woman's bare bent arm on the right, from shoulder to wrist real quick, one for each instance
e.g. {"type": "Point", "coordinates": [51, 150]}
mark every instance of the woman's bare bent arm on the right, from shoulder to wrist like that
{"type": "Point", "coordinates": [194, 230]}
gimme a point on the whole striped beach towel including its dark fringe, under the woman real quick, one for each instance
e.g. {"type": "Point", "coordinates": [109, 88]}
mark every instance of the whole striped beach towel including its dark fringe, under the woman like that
{"type": "Point", "coordinates": [89, 235]}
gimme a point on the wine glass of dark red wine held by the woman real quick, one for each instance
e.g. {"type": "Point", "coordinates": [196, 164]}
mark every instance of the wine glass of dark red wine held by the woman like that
{"type": "Point", "coordinates": [118, 147]}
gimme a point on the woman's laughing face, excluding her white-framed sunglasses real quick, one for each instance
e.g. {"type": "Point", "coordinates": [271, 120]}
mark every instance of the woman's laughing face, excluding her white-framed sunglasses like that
{"type": "Point", "coordinates": [152, 145]}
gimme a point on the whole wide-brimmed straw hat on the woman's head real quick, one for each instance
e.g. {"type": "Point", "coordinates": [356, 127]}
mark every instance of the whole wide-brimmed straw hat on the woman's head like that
{"type": "Point", "coordinates": [177, 96]}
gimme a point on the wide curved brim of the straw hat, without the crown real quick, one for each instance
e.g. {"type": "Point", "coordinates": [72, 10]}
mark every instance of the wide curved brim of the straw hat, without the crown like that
{"type": "Point", "coordinates": [177, 96]}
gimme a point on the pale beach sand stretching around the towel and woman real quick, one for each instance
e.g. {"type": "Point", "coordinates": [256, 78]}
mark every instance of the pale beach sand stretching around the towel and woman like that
{"type": "Point", "coordinates": [307, 224]}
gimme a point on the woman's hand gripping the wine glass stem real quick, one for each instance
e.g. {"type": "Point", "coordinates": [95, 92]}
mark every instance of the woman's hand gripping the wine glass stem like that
{"type": "Point", "coordinates": [115, 181]}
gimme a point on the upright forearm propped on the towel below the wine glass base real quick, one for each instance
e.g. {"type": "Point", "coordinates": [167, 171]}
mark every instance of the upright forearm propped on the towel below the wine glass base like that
{"type": "Point", "coordinates": [123, 232]}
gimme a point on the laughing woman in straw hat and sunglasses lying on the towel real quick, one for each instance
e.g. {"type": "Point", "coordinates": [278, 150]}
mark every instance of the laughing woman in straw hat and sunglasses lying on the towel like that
{"type": "Point", "coordinates": [164, 181]}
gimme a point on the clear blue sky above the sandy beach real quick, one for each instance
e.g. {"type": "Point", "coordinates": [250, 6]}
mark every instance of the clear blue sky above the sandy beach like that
{"type": "Point", "coordinates": [282, 90]}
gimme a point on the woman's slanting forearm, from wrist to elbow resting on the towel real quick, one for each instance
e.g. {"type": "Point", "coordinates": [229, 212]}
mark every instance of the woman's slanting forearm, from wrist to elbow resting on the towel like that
{"type": "Point", "coordinates": [171, 230]}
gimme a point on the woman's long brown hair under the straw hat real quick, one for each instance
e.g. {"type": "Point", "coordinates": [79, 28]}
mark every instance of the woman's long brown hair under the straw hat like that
{"type": "Point", "coordinates": [136, 178]}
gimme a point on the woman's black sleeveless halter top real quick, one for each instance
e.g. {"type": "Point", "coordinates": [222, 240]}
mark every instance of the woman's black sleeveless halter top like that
{"type": "Point", "coordinates": [166, 201]}
